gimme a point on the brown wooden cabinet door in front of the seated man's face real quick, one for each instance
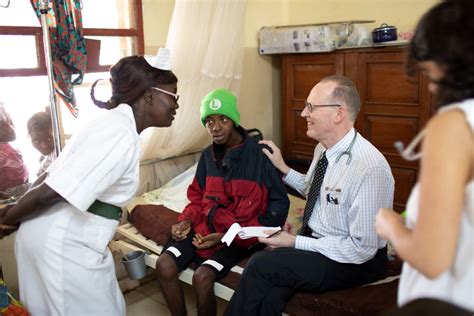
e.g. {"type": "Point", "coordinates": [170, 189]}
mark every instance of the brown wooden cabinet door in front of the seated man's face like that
{"type": "Point", "coordinates": [300, 74]}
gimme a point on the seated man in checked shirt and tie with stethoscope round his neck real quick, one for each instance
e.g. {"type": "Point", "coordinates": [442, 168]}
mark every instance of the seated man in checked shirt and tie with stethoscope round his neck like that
{"type": "Point", "coordinates": [348, 181]}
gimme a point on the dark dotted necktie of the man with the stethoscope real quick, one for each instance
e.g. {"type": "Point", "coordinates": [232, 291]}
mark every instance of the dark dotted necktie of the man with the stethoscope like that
{"type": "Point", "coordinates": [313, 194]}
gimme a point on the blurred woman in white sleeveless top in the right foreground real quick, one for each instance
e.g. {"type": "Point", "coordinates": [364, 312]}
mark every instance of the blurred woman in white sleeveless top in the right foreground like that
{"type": "Point", "coordinates": [437, 240]}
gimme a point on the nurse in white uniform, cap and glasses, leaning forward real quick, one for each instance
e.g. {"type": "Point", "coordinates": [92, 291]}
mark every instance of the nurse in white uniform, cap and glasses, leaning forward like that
{"type": "Point", "coordinates": [67, 221]}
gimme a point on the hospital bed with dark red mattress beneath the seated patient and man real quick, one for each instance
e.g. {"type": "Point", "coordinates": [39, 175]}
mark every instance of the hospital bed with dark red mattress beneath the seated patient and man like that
{"type": "Point", "coordinates": [152, 212]}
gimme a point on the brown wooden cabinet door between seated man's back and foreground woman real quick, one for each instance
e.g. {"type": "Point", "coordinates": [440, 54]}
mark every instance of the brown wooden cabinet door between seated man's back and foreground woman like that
{"type": "Point", "coordinates": [394, 108]}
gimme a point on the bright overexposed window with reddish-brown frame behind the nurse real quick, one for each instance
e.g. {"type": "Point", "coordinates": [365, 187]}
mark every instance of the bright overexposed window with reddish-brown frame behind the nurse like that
{"type": "Point", "coordinates": [23, 80]}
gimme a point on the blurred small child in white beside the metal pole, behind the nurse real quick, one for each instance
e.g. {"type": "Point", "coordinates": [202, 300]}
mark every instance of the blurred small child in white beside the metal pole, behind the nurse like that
{"type": "Point", "coordinates": [40, 130]}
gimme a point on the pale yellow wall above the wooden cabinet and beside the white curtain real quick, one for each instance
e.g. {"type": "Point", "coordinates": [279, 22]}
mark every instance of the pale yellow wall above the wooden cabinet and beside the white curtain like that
{"type": "Point", "coordinates": [260, 95]}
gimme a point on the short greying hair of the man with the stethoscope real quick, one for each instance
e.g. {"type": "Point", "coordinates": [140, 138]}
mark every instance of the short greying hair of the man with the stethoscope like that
{"type": "Point", "coordinates": [345, 92]}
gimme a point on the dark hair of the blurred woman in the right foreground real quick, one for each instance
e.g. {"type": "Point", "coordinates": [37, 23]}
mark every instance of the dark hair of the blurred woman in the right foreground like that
{"type": "Point", "coordinates": [445, 35]}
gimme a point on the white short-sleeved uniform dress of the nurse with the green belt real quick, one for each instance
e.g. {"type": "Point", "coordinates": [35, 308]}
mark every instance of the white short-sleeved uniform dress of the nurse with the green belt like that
{"type": "Point", "coordinates": [64, 264]}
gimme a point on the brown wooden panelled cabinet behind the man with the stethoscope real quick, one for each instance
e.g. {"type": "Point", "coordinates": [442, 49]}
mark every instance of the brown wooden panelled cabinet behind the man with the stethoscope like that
{"type": "Point", "coordinates": [393, 107]}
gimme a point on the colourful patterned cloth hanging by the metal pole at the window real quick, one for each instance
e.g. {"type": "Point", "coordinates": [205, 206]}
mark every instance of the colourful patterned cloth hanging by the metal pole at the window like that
{"type": "Point", "coordinates": [68, 47]}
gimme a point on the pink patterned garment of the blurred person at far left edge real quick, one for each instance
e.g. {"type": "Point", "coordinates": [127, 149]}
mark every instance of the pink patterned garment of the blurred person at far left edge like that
{"type": "Point", "coordinates": [12, 168]}
